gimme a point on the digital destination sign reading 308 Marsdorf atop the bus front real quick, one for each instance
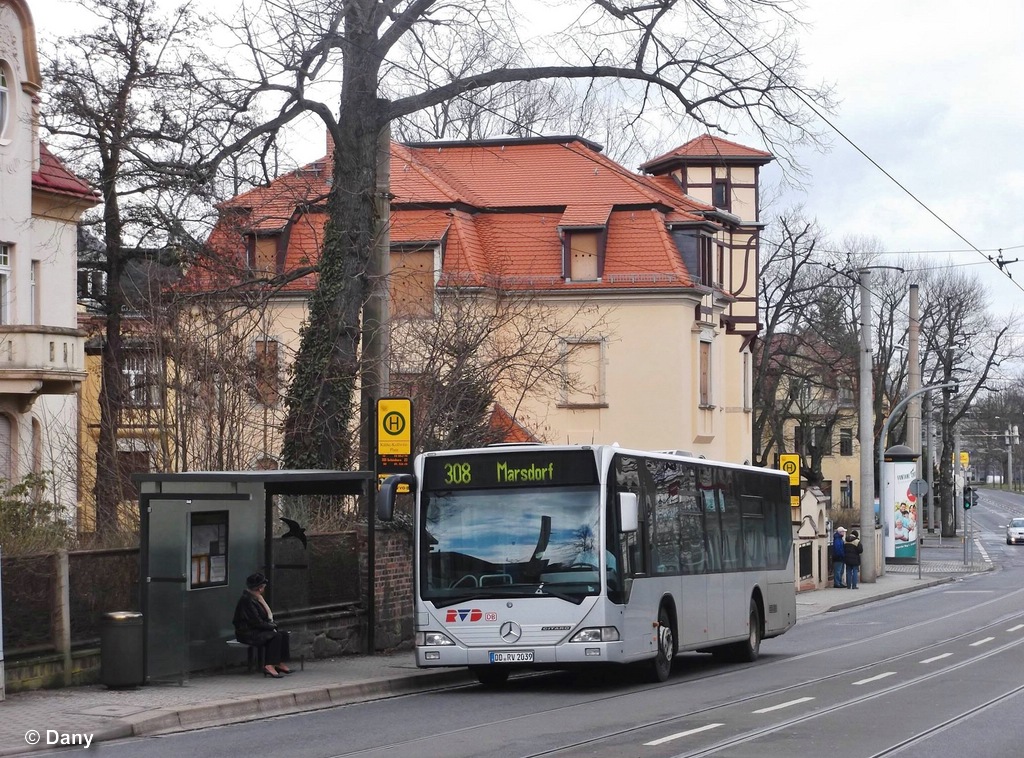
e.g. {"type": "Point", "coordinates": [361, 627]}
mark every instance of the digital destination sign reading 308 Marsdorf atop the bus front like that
{"type": "Point", "coordinates": [510, 470]}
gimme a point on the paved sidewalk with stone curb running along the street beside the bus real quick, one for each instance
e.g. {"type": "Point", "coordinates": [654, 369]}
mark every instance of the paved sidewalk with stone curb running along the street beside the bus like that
{"type": "Point", "coordinates": [97, 713]}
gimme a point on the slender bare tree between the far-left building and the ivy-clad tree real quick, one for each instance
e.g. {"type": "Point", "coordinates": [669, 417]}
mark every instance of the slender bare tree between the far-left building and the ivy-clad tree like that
{"type": "Point", "coordinates": [122, 102]}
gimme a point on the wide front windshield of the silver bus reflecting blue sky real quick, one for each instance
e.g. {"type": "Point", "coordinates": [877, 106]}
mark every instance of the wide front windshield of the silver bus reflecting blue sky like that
{"type": "Point", "coordinates": [508, 543]}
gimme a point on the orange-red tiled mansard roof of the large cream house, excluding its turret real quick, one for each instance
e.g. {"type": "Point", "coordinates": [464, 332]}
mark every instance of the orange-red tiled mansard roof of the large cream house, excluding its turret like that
{"type": "Point", "coordinates": [496, 207]}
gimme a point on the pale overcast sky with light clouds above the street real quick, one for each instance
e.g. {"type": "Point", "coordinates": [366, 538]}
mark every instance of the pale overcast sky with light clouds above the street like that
{"type": "Point", "coordinates": [930, 91]}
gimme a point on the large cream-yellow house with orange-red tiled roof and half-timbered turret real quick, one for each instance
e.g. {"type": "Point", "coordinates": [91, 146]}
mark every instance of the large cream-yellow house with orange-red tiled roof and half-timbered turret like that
{"type": "Point", "coordinates": [651, 276]}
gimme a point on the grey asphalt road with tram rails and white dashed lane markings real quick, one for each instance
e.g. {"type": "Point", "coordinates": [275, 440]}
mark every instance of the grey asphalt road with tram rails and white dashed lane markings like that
{"type": "Point", "coordinates": [928, 675]}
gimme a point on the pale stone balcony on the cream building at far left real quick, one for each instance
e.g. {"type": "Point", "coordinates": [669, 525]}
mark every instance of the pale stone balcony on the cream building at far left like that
{"type": "Point", "coordinates": [37, 360]}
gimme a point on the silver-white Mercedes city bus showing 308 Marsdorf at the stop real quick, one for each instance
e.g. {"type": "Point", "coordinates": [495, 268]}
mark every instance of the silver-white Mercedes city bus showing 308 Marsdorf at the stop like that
{"type": "Point", "coordinates": [538, 557]}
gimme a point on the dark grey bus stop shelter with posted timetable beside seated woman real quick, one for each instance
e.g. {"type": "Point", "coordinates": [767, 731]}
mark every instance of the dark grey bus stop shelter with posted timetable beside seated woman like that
{"type": "Point", "coordinates": [202, 533]}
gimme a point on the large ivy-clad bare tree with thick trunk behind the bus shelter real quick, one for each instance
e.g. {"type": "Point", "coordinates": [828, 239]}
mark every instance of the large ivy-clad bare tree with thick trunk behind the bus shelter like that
{"type": "Point", "coordinates": [700, 64]}
